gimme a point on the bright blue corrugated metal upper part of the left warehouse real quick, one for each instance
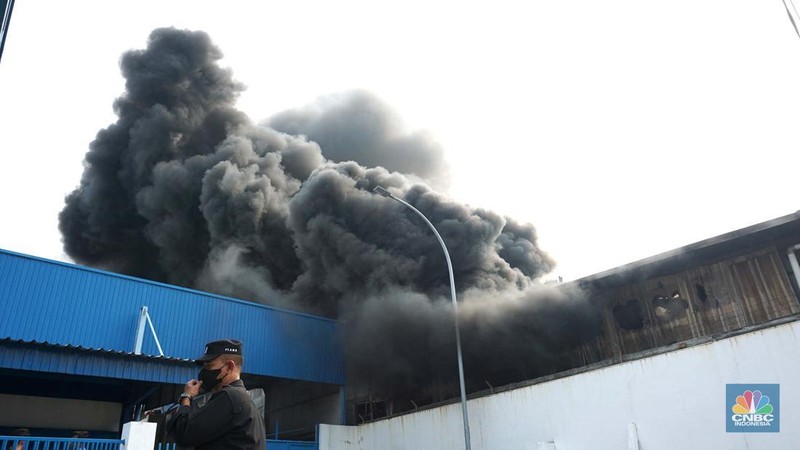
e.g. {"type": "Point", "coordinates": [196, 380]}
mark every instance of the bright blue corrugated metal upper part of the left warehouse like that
{"type": "Point", "coordinates": [65, 304]}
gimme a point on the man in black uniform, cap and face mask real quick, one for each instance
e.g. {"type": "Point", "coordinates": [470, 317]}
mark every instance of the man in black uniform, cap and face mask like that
{"type": "Point", "coordinates": [227, 418]}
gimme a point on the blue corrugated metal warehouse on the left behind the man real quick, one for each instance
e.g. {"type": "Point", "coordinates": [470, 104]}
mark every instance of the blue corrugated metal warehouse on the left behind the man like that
{"type": "Point", "coordinates": [90, 350]}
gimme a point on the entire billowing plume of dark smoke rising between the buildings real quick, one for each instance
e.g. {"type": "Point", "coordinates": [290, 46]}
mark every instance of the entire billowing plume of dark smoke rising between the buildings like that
{"type": "Point", "coordinates": [185, 189]}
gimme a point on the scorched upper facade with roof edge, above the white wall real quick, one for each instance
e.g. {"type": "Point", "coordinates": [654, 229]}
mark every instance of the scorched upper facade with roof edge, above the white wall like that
{"type": "Point", "coordinates": [746, 278]}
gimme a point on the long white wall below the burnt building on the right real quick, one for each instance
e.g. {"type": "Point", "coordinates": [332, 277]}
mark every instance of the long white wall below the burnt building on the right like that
{"type": "Point", "coordinates": [676, 401]}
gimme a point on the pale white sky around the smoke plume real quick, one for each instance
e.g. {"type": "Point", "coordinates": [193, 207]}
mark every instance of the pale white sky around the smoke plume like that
{"type": "Point", "coordinates": [620, 129]}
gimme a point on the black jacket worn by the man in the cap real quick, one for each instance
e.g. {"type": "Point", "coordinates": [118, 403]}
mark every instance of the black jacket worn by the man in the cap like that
{"type": "Point", "coordinates": [228, 419]}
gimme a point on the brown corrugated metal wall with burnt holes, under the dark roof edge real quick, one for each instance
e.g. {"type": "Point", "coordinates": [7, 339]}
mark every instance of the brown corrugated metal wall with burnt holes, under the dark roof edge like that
{"type": "Point", "coordinates": [704, 300]}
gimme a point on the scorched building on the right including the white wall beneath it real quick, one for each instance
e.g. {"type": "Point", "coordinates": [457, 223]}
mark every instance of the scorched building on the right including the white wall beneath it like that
{"type": "Point", "coordinates": [683, 335]}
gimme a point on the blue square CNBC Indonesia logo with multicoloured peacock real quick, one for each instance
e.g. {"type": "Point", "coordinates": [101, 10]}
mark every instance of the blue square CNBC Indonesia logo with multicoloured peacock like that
{"type": "Point", "coordinates": [751, 409]}
